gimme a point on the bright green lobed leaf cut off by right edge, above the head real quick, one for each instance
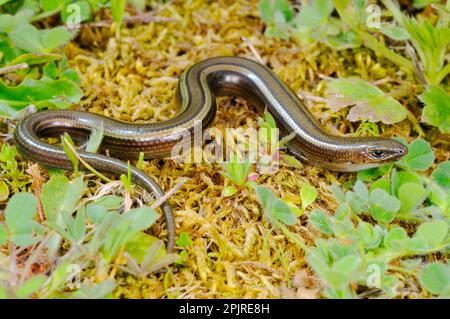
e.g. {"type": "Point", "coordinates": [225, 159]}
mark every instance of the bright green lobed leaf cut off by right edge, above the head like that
{"type": "Point", "coordinates": [437, 108]}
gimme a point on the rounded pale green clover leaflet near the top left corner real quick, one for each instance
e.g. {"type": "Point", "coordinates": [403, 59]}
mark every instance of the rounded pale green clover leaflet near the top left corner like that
{"type": "Point", "coordinates": [28, 38]}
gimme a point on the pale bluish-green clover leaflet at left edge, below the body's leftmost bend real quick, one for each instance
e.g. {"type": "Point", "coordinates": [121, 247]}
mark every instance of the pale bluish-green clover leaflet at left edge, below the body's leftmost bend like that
{"type": "Point", "coordinates": [19, 217]}
